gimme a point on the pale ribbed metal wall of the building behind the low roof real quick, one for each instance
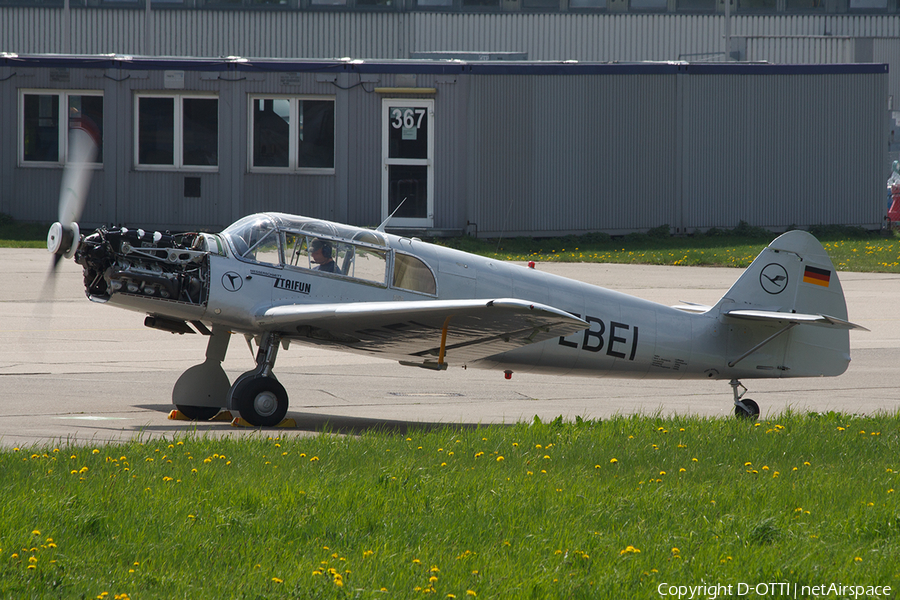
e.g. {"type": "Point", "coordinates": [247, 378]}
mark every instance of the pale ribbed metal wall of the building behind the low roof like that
{"type": "Point", "coordinates": [391, 35]}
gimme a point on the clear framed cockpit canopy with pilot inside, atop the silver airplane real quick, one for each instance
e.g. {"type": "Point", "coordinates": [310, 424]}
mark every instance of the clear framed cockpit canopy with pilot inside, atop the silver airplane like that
{"type": "Point", "coordinates": [300, 242]}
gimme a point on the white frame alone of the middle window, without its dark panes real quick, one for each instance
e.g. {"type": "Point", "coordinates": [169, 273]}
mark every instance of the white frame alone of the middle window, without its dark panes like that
{"type": "Point", "coordinates": [178, 99]}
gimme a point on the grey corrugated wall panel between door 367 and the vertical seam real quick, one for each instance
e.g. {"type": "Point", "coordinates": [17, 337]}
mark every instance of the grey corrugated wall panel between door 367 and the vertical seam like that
{"type": "Point", "coordinates": [561, 154]}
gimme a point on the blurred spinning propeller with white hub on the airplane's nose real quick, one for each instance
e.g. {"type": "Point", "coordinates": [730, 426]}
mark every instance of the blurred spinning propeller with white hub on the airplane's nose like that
{"type": "Point", "coordinates": [64, 235]}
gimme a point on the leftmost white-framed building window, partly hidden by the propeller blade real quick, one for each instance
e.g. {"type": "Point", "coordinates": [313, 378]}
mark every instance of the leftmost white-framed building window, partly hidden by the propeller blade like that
{"type": "Point", "coordinates": [46, 118]}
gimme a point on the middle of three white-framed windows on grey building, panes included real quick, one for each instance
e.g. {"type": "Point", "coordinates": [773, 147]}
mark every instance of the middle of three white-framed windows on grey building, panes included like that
{"type": "Point", "coordinates": [177, 132]}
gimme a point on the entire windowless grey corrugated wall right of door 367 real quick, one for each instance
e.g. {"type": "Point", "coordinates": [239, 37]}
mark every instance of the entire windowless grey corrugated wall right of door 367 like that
{"type": "Point", "coordinates": [620, 153]}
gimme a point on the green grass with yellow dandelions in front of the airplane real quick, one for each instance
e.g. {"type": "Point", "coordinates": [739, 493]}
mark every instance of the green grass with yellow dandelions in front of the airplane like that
{"type": "Point", "coordinates": [588, 509]}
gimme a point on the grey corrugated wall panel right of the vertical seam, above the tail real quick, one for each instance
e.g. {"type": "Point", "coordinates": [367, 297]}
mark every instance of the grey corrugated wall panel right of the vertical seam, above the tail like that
{"type": "Point", "coordinates": [771, 151]}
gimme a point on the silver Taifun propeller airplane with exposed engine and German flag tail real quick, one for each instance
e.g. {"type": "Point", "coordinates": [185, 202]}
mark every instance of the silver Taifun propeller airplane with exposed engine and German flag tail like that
{"type": "Point", "coordinates": [279, 278]}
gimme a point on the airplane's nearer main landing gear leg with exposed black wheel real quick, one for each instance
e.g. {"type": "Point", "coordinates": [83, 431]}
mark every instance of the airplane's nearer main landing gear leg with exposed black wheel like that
{"type": "Point", "coordinates": [256, 394]}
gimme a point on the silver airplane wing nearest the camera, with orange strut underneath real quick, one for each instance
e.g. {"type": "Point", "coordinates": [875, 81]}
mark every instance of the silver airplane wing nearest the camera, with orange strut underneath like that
{"type": "Point", "coordinates": [431, 333]}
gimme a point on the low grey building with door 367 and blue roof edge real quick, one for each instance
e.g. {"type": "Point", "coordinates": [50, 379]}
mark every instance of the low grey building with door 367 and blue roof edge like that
{"type": "Point", "coordinates": [485, 148]}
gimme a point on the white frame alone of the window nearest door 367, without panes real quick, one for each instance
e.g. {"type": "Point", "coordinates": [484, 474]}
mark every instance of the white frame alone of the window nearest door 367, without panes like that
{"type": "Point", "coordinates": [292, 168]}
